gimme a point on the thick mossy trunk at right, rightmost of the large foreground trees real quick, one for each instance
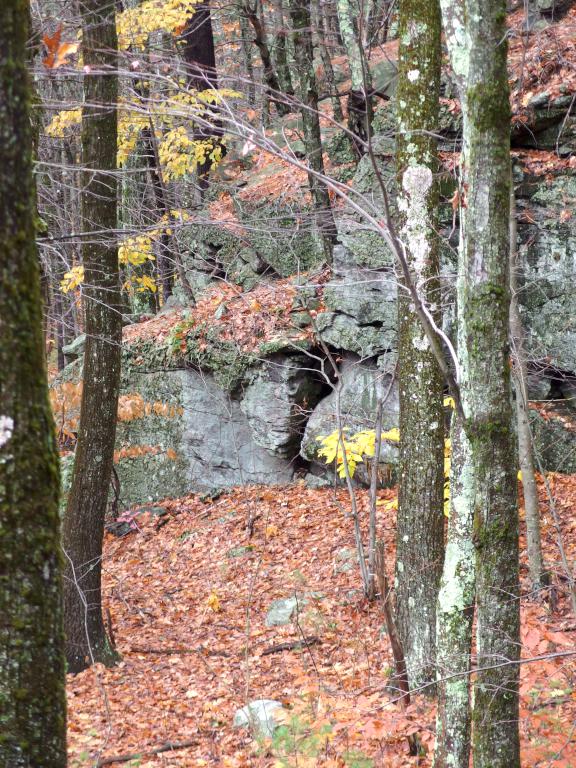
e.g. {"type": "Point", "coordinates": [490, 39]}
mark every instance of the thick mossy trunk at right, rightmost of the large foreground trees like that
{"type": "Point", "coordinates": [476, 39]}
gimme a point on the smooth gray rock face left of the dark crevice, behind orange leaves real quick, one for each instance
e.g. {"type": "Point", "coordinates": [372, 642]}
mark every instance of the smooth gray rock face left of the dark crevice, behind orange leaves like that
{"type": "Point", "coordinates": [185, 433]}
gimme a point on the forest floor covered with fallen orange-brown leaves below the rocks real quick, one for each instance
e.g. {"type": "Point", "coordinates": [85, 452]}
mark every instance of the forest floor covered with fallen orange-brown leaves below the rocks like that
{"type": "Point", "coordinates": [188, 592]}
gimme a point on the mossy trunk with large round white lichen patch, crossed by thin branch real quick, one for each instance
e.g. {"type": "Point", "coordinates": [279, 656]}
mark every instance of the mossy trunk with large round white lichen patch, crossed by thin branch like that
{"type": "Point", "coordinates": [420, 532]}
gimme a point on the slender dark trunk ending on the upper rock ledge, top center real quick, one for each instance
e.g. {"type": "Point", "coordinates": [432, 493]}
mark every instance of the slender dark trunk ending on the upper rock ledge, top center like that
{"type": "Point", "coordinates": [308, 94]}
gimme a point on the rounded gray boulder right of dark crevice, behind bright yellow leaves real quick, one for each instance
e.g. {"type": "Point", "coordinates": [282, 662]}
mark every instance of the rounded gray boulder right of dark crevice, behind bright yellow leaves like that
{"type": "Point", "coordinates": [362, 384]}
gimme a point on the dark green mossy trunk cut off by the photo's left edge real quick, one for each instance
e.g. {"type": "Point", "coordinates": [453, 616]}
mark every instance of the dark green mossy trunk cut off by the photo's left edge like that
{"type": "Point", "coordinates": [32, 693]}
